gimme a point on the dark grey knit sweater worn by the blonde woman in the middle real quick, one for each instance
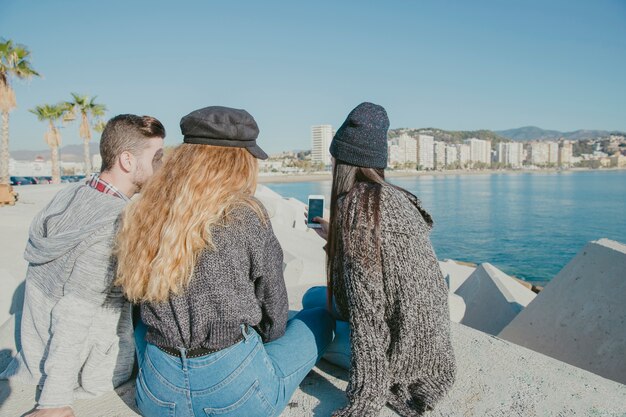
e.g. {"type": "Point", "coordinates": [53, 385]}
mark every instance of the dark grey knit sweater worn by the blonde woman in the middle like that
{"type": "Point", "coordinates": [240, 282]}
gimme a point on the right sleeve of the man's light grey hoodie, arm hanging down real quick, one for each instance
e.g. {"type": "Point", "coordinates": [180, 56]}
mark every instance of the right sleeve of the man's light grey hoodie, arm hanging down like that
{"type": "Point", "coordinates": [84, 292]}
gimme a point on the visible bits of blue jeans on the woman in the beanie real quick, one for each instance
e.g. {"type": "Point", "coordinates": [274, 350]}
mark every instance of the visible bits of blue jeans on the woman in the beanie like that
{"type": "Point", "coordinates": [338, 351]}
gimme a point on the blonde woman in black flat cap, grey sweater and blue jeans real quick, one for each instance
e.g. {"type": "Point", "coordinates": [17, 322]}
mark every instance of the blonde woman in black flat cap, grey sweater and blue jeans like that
{"type": "Point", "coordinates": [198, 253]}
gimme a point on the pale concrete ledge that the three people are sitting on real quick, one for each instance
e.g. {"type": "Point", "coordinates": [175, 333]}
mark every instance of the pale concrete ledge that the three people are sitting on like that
{"type": "Point", "coordinates": [495, 378]}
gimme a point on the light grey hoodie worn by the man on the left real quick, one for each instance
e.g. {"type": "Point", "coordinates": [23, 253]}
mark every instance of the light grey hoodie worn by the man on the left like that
{"type": "Point", "coordinates": [76, 335]}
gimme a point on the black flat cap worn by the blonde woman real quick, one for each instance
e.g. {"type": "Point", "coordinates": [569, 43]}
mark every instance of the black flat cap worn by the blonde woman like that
{"type": "Point", "coordinates": [222, 126]}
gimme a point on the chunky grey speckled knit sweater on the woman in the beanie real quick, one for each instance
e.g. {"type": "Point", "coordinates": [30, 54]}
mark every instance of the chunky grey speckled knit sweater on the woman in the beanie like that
{"type": "Point", "coordinates": [397, 306]}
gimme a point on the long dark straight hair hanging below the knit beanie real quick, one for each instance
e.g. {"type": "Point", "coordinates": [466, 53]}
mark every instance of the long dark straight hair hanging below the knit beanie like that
{"type": "Point", "coordinates": [361, 189]}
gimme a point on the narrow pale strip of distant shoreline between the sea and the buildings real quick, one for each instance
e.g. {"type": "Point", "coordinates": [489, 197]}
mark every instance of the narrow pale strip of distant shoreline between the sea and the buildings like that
{"type": "Point", "coordinates": [327, 176]}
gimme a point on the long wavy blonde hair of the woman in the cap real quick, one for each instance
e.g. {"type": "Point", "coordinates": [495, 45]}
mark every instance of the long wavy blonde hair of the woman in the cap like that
{"type": "Point", "coordinates": [164, 231]}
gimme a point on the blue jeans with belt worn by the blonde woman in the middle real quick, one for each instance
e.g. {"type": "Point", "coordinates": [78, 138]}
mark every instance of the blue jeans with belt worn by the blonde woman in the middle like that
{"type": "Point", "coordinates": [247, 379]}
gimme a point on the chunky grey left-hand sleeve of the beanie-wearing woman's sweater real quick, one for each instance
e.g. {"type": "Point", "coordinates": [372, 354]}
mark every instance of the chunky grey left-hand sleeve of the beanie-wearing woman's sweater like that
{"type": "Point", "coordinates": [369, 370]}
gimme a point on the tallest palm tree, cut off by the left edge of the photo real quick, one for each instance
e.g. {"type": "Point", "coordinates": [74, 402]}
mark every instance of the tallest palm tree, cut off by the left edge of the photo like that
{"type": "Point", "coordinates": [14, 62]}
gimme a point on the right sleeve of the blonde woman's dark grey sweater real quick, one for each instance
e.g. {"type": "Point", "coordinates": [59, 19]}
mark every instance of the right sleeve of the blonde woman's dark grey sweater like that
{"type": "Point", "coordinates": [270, 290]}
